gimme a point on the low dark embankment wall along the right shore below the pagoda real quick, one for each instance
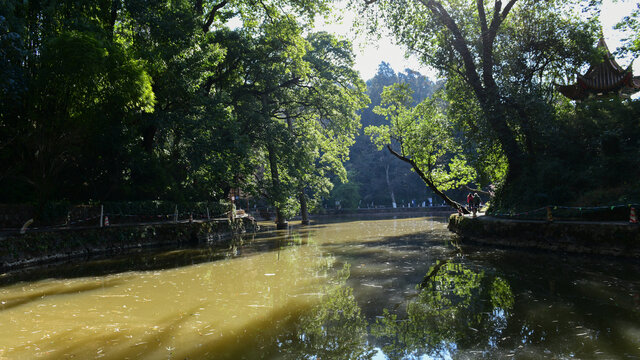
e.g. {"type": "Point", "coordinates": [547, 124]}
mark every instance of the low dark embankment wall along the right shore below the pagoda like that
{"type": "Point", "coordinates": [604, 238]}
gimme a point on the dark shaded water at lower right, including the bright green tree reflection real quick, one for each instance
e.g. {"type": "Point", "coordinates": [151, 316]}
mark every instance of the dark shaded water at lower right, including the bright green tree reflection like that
{"type": "Point", "coordinates": [499, 304]}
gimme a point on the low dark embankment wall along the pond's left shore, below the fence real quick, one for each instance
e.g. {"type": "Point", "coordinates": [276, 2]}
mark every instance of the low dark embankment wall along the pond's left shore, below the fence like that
{"type": "Point", "coordinates": [38, 247]}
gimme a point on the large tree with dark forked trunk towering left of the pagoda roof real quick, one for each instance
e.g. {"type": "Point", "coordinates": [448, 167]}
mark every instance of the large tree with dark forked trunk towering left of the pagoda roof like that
{"type": "Point", "coordinates": [504, 54]}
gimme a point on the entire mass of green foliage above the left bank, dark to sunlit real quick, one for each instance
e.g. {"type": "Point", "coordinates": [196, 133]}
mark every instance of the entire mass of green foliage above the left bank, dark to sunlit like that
{"type": "Point", "coordinates": [129, 99]}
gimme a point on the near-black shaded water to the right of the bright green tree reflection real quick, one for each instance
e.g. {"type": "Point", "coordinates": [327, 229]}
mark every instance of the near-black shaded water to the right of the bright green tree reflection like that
{"type": "Point", "coordinates": [562, 301]}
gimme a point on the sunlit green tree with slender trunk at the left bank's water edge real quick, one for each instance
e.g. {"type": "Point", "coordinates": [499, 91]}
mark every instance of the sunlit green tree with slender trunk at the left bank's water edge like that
{"type": "Point", "coordinates": [325, 114]}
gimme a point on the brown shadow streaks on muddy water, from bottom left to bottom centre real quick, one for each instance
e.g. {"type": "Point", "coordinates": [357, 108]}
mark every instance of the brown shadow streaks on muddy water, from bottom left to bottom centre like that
{"type": "Point", "coordinates": [333, 328]}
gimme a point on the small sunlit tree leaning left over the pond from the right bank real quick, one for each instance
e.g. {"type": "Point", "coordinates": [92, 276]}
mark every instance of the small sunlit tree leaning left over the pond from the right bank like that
{"type": "Point", "coordinates": [421, 137]}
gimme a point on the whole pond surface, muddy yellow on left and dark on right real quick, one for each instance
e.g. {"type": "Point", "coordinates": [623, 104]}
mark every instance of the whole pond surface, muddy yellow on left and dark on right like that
{"type": "Point", "coordinates": [352, 288]}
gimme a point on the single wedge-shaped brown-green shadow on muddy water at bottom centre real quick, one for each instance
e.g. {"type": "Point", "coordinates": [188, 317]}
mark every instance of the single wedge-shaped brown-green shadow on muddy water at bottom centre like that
{"type": "Point", "coordinates": [334, 328]}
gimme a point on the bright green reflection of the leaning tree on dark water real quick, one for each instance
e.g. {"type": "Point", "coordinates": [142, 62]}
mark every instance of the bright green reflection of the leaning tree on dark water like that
{"type": "Point", "coordinates": [457, 308]}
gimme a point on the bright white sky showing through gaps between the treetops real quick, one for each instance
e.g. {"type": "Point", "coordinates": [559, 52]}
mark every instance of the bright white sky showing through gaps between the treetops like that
{"type": "Point", "coordinates": [369, 53]}
